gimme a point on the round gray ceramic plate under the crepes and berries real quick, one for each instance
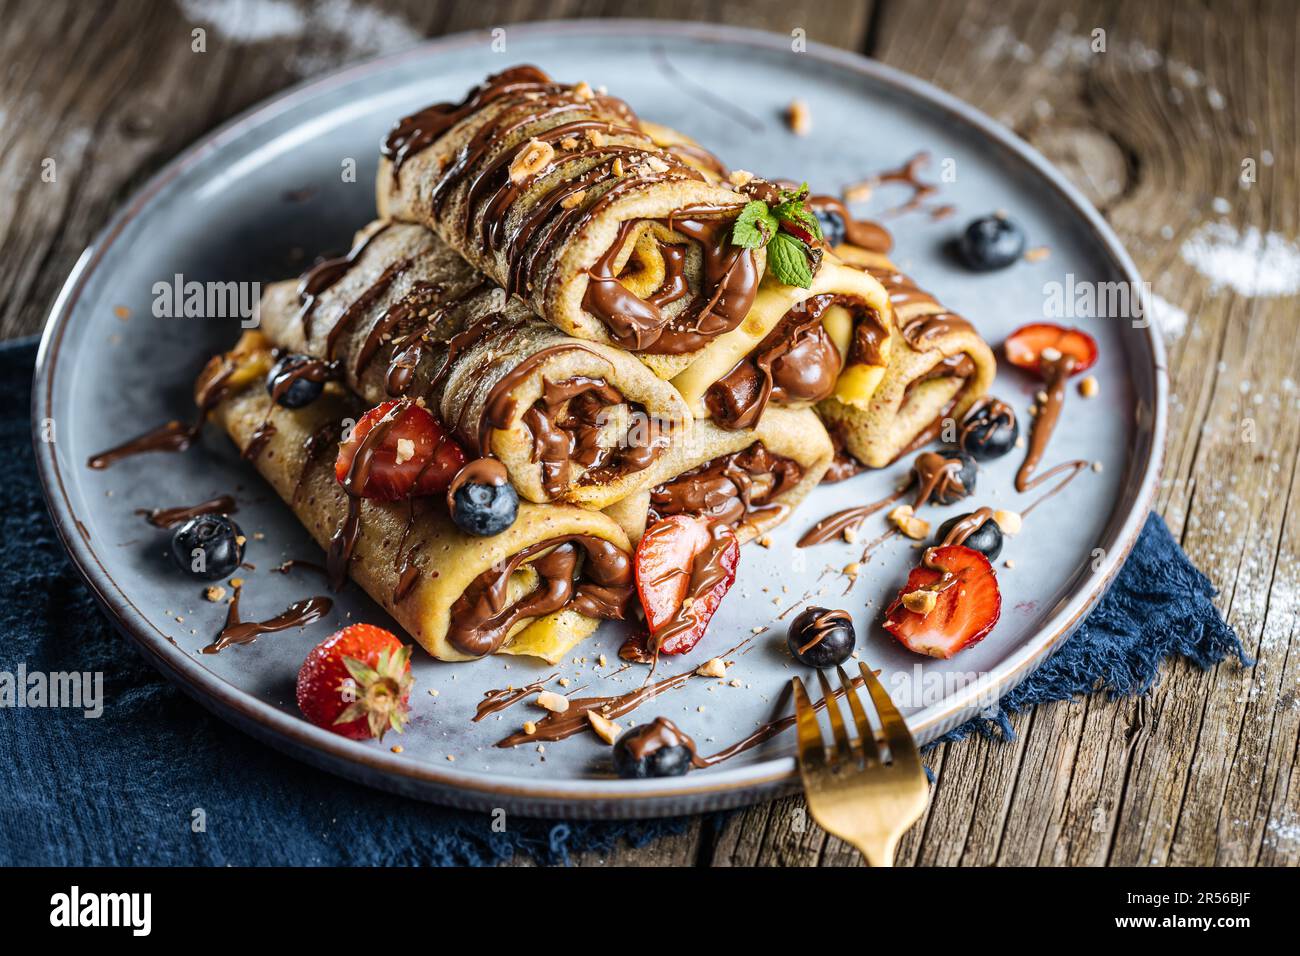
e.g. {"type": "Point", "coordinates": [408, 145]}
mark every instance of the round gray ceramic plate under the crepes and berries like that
{"type": "Point", "coordinates": [265, 193]}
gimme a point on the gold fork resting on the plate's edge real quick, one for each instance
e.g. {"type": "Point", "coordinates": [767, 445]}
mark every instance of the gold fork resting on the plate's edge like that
{"type": "Point", "coordinates": [852, 791]}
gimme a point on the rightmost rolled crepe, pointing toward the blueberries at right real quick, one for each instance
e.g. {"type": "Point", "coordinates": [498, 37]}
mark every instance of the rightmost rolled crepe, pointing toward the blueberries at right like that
{"type": "Point", "coordinates": [938, 367]}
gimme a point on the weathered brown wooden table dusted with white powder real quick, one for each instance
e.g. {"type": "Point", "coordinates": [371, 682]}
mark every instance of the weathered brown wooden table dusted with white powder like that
{"type": "Point", "coordinates": [1155, 129]}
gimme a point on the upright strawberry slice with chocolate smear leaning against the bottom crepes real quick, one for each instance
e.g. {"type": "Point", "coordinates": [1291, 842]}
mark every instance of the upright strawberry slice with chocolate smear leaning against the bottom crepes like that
{"type": "Point", "coordinates": [684, 566]}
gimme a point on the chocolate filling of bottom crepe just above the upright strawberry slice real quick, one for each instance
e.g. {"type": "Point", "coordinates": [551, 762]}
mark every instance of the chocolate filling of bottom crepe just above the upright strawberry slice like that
{"type": "Point", "coordinates": [730, 488]}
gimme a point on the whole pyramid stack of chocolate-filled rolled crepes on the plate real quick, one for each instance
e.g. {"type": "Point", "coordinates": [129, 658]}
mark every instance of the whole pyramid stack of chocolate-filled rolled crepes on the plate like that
{"type": "Point", "coordinates": [556, 282]}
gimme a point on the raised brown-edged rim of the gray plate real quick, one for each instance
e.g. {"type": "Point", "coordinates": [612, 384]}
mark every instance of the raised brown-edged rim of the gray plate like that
{"type": "Point", "coordinates": [574, 798]}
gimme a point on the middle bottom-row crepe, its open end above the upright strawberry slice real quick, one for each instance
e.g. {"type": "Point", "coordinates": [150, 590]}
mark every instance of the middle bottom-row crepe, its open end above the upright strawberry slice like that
{"type": "Point", "coordinates": [751, 479]}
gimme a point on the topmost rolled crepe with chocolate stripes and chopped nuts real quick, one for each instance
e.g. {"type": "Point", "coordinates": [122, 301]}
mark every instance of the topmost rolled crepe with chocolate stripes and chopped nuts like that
{"type": "Point", "coordinates": [560, 197]}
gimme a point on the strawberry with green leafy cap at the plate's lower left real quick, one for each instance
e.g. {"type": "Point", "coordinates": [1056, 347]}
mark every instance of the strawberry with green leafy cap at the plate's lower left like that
{"type": "Point", "coordinates": [357, 684]}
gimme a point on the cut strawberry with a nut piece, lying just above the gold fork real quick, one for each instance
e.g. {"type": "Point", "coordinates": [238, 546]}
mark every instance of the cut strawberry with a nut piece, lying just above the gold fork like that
{"type": "Point", "coordinates": [964, 612]}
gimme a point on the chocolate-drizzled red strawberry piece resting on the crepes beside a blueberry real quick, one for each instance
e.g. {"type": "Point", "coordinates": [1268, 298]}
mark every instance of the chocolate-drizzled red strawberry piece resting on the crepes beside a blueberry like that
{"type": "Point", "coordinates": [408, 455]}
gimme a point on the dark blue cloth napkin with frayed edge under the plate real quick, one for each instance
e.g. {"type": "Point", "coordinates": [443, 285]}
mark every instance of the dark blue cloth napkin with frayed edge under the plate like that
{"type": "Point", "coordinates": [124, 789]}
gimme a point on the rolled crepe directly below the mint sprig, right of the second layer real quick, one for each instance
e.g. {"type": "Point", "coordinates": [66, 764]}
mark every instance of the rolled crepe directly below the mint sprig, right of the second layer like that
{"type": "Point", "coordinates": [796, 348]}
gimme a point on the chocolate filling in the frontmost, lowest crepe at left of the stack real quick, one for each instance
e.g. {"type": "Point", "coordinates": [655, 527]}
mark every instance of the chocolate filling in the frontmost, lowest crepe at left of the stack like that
{"type": "Point", "coordinates": [582, 572]}
